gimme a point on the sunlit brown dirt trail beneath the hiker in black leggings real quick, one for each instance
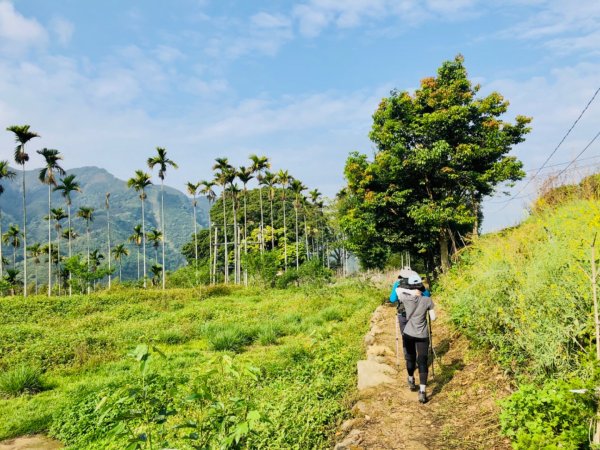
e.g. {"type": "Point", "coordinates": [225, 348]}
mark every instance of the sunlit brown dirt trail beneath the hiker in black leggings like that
{"type": "Point", "coordinates": [462, 412]}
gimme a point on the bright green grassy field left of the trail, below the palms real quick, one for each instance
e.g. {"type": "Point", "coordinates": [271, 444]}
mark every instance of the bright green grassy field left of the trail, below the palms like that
{"type": "Point", "coordinates": [288, 383]}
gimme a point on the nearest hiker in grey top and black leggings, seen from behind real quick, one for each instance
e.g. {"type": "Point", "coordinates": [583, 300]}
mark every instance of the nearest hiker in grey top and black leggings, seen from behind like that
{"type": "Point", "coordinates": [413, 308]}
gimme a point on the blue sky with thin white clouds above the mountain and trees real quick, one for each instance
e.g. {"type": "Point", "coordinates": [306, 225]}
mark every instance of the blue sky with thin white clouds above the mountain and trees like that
{"type": "Point", "coordinates": [106, 82]}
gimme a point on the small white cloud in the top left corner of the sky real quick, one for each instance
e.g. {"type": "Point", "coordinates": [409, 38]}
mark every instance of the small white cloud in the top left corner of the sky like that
{"type": "Point", "coordinates": [17, 33]}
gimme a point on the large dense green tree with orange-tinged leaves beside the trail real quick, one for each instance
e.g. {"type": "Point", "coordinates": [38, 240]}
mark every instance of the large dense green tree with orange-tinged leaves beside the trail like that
{"type": "Point", "coordinates": [440, 151]}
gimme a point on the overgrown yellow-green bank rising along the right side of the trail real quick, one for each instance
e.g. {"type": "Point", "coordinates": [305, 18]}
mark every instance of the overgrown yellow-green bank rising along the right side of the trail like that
{"type": "Point", "coordinates": [525, 294]}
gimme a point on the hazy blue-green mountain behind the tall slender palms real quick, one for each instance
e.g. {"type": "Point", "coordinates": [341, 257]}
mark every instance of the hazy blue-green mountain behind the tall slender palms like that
{"type": "Point", "coordinates": [125, 213]}
